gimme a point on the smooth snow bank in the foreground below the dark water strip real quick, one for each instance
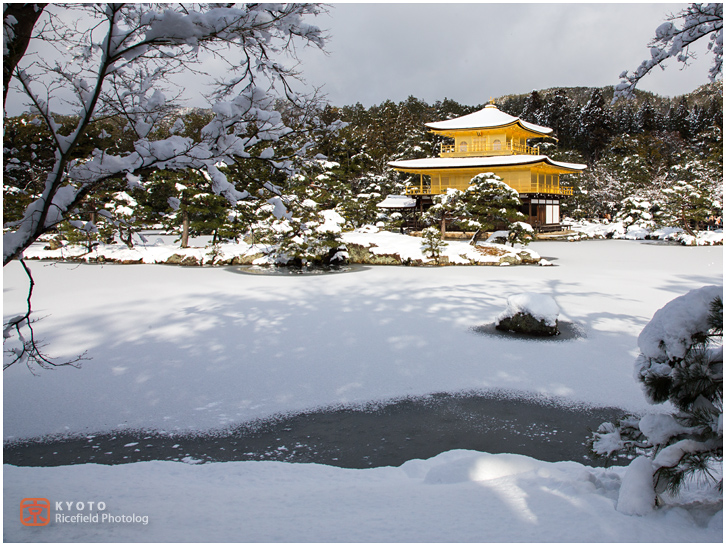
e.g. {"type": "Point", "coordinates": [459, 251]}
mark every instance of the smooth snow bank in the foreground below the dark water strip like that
{"type": "Point", "coordinates": [457, 496]}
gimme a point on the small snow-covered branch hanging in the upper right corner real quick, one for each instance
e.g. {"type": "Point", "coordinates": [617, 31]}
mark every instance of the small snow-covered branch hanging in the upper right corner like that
{"type": "Point", "coordinates": [698, 22]}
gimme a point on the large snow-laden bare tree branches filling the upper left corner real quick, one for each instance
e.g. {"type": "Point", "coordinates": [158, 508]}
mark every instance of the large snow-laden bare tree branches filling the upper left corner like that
{"type": "Point", "coordinates": [116, 60]}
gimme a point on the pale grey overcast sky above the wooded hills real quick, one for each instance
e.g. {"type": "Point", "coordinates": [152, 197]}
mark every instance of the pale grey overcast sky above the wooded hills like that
{"type": "Point", "coordinates": [473, 51]}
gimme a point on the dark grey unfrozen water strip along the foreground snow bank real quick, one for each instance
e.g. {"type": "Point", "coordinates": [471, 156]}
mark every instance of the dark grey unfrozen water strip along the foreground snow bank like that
{"type": "Point", "coordinates": [386, 434]}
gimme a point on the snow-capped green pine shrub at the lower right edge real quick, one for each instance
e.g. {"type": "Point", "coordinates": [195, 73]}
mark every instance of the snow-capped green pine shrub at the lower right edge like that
{"type": "Point", "coordinates": [681, 361]}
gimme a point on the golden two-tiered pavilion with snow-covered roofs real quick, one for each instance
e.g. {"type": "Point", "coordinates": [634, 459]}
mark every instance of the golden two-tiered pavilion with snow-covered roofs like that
{"type": "Point", "coordinates": [490, 140]}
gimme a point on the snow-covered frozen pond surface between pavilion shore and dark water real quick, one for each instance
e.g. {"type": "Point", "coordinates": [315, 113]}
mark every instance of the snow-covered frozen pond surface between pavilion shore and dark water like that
{"type": "Point", "coordinates": [186, 350]}
